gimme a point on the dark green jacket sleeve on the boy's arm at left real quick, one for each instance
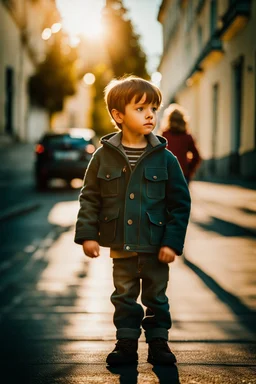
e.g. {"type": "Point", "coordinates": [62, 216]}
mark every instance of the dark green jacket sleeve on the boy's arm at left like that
{"type": "Point", "coordinates": [87, 226]}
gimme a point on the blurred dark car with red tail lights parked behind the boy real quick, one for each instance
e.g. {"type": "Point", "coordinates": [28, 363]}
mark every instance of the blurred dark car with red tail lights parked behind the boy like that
{"type": "Point", "coordinates": [63, 155]}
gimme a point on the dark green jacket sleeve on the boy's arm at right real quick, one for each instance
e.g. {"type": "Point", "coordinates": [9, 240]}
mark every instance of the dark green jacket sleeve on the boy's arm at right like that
{"type": "Point", "coordinates": [178, 206]}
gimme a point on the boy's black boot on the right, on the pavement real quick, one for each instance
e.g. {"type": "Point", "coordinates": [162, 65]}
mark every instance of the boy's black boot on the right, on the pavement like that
{"type": "Point", "coordinates": [160, 353]}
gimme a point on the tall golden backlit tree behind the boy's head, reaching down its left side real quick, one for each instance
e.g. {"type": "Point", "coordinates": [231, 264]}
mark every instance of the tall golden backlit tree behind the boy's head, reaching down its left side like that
{"type": "Point", "coordinates": [124, 56]}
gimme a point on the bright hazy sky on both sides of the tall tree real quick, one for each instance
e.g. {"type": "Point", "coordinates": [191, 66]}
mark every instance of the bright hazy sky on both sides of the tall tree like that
{"type": "Point", "coordinates": [83, 16]}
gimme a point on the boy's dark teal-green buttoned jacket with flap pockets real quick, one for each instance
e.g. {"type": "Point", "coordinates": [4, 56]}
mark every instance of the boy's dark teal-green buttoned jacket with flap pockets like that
{"type": "Point", "coordinates": [140, 210]}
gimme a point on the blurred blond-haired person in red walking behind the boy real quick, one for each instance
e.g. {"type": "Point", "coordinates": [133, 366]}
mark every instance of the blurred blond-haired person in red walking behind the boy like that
{"type": "Point", "coordinates": [174, 127]}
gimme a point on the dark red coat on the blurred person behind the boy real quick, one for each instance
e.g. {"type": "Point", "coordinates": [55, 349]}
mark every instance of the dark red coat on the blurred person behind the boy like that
{"type": "Point", "coordinates": [180, 144]}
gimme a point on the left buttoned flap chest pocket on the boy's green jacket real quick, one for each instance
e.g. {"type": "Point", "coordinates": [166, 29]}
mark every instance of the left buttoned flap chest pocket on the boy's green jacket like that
{"type": "Point", "coordinates": [109, 181]}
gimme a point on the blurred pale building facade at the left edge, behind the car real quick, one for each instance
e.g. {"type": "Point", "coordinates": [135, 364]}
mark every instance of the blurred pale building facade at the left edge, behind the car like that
{"type": "Point", "coordinates": [21, 49]}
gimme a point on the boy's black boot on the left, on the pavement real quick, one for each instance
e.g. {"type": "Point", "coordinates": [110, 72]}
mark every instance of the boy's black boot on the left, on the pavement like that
{"type": "Point", "coordinates": [125, 352]}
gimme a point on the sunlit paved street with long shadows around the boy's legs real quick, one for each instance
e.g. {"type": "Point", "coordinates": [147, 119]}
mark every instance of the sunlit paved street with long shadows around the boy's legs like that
{"type": "Point", "coordinates": [56, 318]}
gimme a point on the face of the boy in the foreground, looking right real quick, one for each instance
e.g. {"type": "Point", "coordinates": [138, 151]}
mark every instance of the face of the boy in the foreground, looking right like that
{"type": "Point", "coordinates": [139, 118]}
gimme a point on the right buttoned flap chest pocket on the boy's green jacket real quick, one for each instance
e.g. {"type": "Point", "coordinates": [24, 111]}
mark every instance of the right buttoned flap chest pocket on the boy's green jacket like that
{"type": "Point", "coordinates": [155, 182]}
